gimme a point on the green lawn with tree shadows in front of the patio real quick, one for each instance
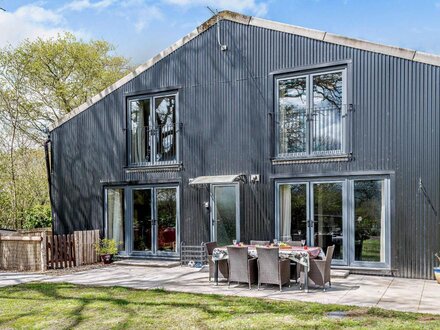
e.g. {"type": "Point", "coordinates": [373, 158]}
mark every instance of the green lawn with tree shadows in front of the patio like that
{"type": "Point", "coordinates": [64, 306]}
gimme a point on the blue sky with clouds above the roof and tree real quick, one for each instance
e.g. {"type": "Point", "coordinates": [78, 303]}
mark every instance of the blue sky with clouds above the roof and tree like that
{"type": "Point", "coordinates": [140, 28]}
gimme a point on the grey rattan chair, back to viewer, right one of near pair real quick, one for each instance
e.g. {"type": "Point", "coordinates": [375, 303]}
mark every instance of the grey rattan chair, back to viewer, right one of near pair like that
{"type": "Point", "coordinates": [272, 269]}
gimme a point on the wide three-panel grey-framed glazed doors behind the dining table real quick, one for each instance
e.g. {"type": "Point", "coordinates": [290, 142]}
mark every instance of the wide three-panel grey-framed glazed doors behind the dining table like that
{"type": "Point", "coordinates": [349, 213]}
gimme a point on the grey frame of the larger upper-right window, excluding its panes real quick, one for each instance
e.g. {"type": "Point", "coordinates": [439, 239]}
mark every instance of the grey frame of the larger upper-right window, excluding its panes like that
{"type": "Point", "coordinates": [309, 74]}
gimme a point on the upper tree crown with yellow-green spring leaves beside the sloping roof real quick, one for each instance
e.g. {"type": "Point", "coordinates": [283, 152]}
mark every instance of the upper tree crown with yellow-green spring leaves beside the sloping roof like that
{"type": "Point", "coordinates": [56, 76]}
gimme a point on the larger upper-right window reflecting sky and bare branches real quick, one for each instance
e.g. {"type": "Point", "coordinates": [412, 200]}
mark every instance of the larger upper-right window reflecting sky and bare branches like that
{"type": "Point", "coordinates": [310, 114]}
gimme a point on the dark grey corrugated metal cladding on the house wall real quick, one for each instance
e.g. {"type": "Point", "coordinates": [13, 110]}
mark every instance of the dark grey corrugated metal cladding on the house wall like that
{"type": "Point", "coordinates": [225, 101]}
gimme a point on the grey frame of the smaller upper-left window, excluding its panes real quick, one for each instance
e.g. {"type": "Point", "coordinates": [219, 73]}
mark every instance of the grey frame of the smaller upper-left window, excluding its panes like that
{"type": "Point", "coordinates": [152, 97]}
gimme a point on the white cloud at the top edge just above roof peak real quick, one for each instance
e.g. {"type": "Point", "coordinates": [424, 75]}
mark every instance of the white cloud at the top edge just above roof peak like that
{"type": "Point", "coordinates": [254, 7]}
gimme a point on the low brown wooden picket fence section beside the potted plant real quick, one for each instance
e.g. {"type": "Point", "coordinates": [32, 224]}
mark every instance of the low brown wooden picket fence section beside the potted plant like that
{"type": "Point", "coordinates": [77, 249]}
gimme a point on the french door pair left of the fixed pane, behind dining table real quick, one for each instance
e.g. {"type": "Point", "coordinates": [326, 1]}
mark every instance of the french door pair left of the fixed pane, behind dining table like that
{"type": "Point", "coordinates": [314, 212]}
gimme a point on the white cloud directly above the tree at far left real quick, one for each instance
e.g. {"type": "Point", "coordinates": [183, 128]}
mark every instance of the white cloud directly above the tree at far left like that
{"type": "Point", "coordinates": [30, 22]}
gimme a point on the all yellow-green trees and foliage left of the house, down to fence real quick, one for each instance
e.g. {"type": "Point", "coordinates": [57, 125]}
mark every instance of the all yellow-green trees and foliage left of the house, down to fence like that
{"type": "Point", "coordinates": [40, 81]}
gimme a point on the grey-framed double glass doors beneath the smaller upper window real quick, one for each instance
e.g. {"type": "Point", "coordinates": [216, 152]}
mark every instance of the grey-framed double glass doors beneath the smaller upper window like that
{"type": "Point", "coordinates": [154, 225]}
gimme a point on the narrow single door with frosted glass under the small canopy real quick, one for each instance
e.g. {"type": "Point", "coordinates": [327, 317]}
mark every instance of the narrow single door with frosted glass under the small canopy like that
{"type": "Point", "coordinates": [225, 214]}
